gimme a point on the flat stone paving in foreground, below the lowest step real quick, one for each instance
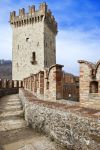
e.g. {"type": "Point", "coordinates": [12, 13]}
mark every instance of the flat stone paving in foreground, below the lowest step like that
{"type": "Point", "coordinates": [26, 139]}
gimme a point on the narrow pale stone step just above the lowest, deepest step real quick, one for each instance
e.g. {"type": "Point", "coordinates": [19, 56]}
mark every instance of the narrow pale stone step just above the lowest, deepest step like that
{"type": "Point", "coordinates": [10, 113]}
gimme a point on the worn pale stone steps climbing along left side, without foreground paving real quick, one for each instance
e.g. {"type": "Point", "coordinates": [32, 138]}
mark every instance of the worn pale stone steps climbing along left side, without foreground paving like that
{"type": "Point", "coordinates": [11, 113]}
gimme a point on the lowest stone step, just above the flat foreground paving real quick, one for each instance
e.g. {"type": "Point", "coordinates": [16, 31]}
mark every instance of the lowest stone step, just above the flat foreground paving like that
{"type": "Point", "coordinates": [6, 125]}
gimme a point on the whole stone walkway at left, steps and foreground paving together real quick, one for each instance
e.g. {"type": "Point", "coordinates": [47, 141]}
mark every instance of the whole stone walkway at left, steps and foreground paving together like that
{"type": "Point", "coordinates": [14, 133]}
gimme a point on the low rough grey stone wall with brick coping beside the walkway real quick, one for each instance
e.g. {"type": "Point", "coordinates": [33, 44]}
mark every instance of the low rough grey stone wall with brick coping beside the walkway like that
{"type": "Point", "coordinates": [66, 124]}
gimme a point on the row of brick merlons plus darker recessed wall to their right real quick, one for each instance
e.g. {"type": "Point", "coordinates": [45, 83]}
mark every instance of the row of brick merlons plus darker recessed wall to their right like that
{"type": "Point", "coordinates": [52, 84]}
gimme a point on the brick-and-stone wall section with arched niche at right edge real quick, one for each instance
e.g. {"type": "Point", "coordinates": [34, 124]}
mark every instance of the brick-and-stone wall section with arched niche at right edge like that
{"type": "Point", "coordinates": [89, 81]}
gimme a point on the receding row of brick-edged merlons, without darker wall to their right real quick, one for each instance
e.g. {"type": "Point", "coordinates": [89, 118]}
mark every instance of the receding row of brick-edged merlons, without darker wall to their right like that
{"type": "Point", "coordinates": [47, 84]}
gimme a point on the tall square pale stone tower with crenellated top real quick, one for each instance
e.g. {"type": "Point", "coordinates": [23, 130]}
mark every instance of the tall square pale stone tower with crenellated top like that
{"type": "Point", "coordinates": [34, 41]}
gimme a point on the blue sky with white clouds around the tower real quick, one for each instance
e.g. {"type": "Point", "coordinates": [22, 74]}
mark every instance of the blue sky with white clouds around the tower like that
{"type": "Point", "coordinates": [78, 30]}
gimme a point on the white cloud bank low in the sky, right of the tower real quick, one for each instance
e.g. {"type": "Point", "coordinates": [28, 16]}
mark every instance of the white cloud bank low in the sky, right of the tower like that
{"type": "Point", "coordinates": [73, 45]}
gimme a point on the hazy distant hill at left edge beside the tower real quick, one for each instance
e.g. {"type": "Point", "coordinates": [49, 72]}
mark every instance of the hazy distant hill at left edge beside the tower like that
{"type": "Point", "coordinates": [5, 69]}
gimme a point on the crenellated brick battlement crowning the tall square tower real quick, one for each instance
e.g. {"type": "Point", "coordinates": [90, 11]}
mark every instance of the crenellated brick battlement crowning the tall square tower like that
{"type": "Point", "coordinates": [34, 16]}
